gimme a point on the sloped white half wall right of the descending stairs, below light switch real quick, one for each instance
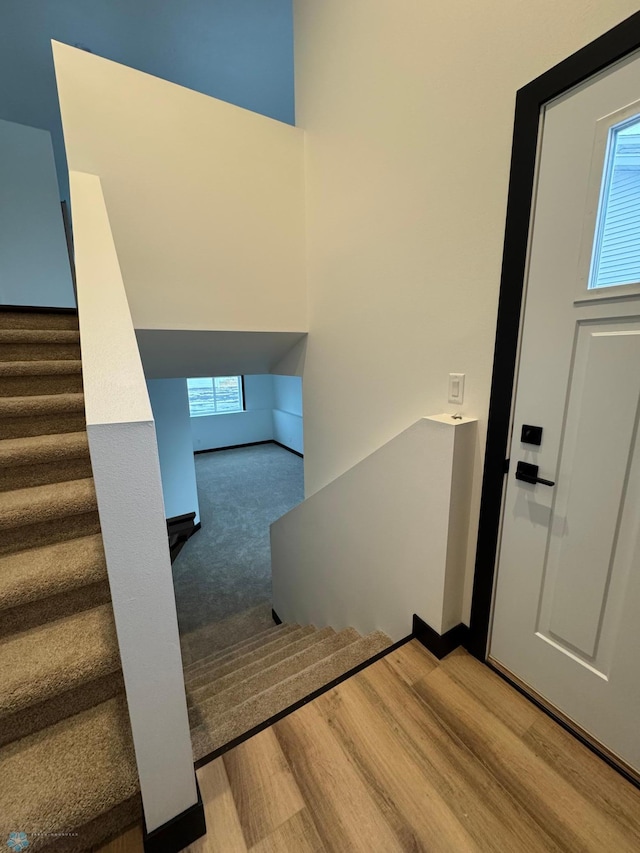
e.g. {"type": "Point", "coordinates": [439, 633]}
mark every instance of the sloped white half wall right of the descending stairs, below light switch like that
{"type": "Point", "coordinates": [385, 540]}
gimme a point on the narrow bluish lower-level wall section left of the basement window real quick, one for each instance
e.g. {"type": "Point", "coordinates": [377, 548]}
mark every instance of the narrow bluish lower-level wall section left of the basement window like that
{"type": "Point", "coordinates": [170, 405]}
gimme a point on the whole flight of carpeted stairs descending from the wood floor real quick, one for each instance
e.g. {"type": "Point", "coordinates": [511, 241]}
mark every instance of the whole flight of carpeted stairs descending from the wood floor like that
{"type": "Point", "coordinates": [233, 690]}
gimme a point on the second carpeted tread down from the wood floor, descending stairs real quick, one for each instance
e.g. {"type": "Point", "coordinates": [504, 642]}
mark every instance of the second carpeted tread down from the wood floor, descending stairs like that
{"type": "Point", "coordinates": [209, 701]}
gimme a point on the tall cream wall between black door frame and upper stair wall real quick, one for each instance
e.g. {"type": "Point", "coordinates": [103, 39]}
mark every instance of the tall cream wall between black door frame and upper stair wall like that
{"type": "Point", "coordinates": [408, 113]}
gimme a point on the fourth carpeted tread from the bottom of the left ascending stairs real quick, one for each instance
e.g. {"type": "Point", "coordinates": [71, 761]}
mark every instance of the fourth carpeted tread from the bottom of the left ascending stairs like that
{"type": "Point", "coordinates": [45, 503]}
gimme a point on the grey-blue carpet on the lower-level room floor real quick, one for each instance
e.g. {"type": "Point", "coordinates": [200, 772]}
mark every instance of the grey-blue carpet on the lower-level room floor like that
{"type": "Point", "coordinates": [225, 568]}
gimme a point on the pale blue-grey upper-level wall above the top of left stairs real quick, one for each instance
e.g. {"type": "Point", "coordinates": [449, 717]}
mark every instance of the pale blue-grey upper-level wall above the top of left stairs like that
{"type": "Point", "coordinates": [34, 263]}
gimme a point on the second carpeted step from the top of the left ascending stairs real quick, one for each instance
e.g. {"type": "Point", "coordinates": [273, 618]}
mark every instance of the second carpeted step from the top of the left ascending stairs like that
{"type": "Point", "coordinates": [19, 378]}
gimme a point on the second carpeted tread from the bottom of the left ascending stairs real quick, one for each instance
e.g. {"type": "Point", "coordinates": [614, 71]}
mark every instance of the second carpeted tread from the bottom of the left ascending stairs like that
{"type": "Point", "coordinates": [48, 660]}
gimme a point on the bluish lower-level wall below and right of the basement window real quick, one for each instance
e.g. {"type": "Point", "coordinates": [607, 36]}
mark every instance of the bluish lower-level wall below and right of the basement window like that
{"type": "Point", "coordinates": [254, 424]}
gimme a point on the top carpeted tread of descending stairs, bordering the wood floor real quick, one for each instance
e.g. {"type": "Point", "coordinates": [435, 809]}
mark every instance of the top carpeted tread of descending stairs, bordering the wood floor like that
{"type": "Point", "coordinates": [216, 731]}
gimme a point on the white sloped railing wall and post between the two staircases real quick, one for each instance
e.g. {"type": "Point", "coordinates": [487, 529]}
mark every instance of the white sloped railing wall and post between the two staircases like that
{"type": "Point", "coordinates": [126, 471]}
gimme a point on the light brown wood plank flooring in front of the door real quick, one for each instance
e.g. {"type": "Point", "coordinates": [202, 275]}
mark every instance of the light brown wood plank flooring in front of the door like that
{"type": "Point", "coordinates": [415, 754]}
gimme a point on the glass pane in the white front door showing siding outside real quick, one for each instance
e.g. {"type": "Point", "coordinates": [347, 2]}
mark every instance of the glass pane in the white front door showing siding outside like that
{"type": "Point", "coordinates": [616, 251]}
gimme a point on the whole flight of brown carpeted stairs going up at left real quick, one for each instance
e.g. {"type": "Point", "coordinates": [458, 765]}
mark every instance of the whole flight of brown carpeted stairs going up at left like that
{"type": "Point", "coordinates": [66, 756]}
